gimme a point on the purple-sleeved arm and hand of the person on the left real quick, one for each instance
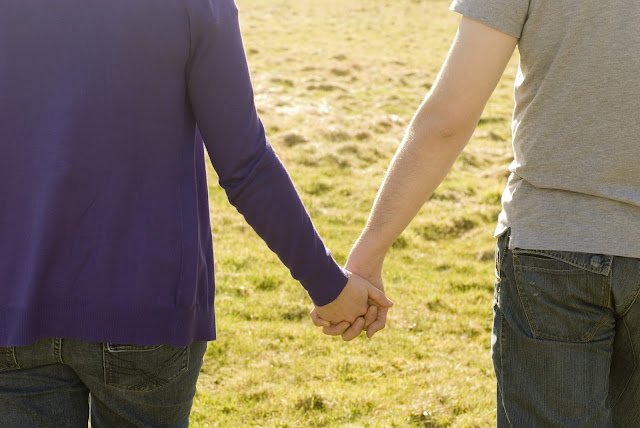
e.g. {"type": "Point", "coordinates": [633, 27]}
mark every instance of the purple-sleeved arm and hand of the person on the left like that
{"type": "Point", "coordinates": [256, 182]}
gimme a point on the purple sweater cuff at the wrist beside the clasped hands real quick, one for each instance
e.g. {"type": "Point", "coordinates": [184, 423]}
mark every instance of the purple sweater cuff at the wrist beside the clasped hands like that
{"type": "Point", "coordinates": [327, 283]}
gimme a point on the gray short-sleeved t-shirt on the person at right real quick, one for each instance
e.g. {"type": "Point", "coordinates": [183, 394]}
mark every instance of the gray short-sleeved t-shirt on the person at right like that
{"type": "Point", "coordinates": [575, 178]}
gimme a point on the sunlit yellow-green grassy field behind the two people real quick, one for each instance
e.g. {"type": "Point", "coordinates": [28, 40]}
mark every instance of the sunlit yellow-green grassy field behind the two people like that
{"type": "Point", "coordinates": [336, 83]}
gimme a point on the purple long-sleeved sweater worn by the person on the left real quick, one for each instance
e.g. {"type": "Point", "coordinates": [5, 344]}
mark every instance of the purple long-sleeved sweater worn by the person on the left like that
{"type": "Point", "coordinates": [104, 218]}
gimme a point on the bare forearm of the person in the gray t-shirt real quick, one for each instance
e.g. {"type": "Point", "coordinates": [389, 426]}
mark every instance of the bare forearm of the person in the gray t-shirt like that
{"type": "Point", "coordinates": [439, 131]}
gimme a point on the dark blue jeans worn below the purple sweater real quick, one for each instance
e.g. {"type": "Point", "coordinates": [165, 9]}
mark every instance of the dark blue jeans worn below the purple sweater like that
{"type": "Point", "coordinates": [51, 382]}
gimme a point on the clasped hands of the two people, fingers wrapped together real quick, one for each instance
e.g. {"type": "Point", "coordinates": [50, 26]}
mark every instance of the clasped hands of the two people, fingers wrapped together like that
{"type": "Point", "coordinates": [355, 309]}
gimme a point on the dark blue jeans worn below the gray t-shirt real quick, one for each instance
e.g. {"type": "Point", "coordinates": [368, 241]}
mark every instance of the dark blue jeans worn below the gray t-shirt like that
{"type": "Point", "coordinates": [566, 339]}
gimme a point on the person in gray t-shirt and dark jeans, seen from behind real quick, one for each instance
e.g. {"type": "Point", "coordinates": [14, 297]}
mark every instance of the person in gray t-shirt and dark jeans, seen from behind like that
{"type": "Point", "coordinates": [566, 329]}
